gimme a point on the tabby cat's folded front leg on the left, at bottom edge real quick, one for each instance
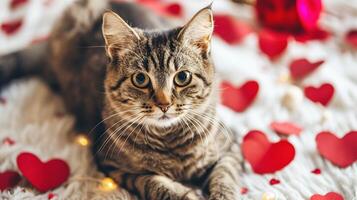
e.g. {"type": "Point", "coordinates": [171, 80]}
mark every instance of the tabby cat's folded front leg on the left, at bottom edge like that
{"type": "Point", "coordinates": [157, 187]}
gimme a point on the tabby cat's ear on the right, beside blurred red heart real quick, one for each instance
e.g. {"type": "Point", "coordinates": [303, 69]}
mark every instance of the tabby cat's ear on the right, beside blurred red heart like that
{"type": "Point", "coordinates": [198, 31]}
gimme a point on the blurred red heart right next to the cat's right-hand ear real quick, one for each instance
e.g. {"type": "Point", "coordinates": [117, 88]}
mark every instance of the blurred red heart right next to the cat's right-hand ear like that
{"type": "Point", "coordinates": [230, 29]}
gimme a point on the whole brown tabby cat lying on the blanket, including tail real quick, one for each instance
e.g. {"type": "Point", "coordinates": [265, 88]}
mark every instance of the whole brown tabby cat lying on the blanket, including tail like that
{"type": "Point", "coordinates": [153, 87]}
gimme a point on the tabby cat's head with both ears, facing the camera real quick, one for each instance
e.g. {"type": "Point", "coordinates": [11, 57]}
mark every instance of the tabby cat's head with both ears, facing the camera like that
{"type": "Point", "coordinates": [159, 77]}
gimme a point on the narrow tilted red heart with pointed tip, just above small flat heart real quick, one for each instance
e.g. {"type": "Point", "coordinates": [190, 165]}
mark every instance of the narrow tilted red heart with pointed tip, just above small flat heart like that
{"type": "Point", "coordinates": [300, 68]}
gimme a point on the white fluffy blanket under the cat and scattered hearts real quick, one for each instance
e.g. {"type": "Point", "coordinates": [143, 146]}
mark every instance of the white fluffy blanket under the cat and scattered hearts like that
{"type": "Point", "coordinates": [34, 117]}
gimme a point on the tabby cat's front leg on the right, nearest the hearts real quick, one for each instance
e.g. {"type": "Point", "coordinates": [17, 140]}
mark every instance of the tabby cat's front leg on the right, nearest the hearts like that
{"type": "Point", "coordinates": [224, 179]}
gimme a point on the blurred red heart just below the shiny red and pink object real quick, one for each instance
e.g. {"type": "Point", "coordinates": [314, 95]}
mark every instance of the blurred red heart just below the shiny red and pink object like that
{"type": "Point", "coordinates": [271, 43]}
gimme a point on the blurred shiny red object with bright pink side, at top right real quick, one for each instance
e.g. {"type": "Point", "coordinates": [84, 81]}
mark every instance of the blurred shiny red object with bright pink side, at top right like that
{"type": "Point", "coordinates": [289, 15]}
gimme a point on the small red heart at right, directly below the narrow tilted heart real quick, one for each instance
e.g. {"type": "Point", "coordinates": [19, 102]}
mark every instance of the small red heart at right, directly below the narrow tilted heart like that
{"type": "Point", "coordinates": [322, 94]}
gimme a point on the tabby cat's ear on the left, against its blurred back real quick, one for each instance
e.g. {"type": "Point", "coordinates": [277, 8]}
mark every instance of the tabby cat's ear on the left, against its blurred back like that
{"type": "Point", "coordinates": [117, 33]}
